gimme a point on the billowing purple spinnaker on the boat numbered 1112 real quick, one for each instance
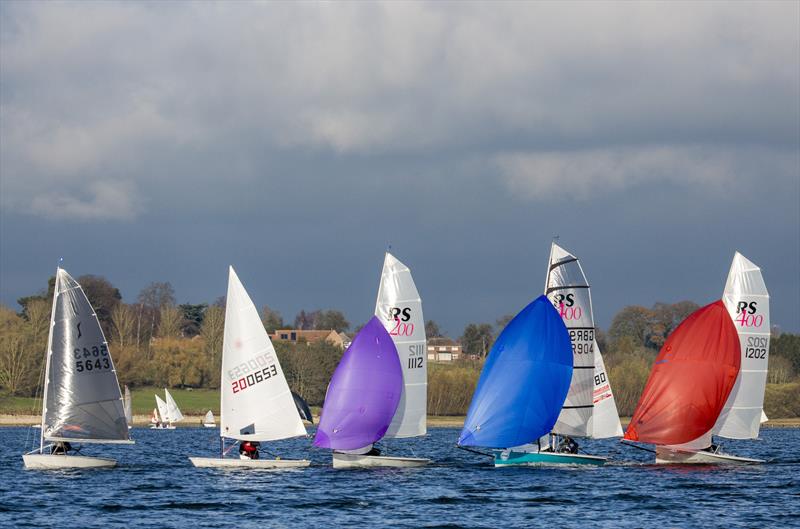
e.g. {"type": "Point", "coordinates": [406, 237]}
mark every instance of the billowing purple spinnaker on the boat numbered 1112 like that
{"type": "Point", "coordinates": [364, 392]}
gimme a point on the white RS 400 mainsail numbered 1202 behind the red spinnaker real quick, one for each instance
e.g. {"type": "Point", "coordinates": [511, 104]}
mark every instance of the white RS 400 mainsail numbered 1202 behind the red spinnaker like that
{"type": "Point", "coordinates": [747, 301]}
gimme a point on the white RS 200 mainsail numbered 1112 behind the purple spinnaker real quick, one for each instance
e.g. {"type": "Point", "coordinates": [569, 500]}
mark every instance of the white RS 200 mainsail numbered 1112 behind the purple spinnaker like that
{"type": "Point", "coordinates": [399, 308]}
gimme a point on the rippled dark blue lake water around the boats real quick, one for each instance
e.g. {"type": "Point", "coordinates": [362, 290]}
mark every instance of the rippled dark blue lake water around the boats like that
{"type": "Point", "coordinates": [156, 486]}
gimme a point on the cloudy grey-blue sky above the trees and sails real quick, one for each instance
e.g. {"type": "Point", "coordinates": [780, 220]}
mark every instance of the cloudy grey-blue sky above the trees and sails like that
{"type": "Point", "coordinates": [164, 141]}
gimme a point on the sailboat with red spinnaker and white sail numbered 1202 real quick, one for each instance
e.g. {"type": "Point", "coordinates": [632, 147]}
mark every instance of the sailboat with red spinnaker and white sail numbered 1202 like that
{"type": "Point", "coordinates": [710, 376]}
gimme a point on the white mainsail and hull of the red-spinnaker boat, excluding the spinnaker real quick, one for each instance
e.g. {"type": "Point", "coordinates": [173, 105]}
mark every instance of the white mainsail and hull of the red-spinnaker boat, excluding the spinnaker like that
{"type": "Point", "coordinates": [747, 301]}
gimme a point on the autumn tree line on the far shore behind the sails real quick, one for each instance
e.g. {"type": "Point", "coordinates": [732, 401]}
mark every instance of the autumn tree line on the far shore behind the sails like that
{"type": "Point", "coordinates": [157, 342]}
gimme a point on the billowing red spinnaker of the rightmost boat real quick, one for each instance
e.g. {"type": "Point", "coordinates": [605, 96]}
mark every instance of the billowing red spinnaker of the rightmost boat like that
{"type": "Point", "coordinates": [691, 379]}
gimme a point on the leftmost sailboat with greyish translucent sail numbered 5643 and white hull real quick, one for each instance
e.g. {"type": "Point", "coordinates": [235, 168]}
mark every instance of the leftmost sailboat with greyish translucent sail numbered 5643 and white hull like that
{"type": "Point", "coordinates": [82, 402]}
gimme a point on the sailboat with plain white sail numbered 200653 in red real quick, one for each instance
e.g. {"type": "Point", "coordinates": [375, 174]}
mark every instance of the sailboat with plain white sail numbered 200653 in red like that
{"type": "Point", "coordinates": [255, 404]}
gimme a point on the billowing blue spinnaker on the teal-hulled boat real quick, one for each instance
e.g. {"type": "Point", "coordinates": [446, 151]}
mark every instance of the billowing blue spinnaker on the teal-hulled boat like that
{"type": "Point", "coordinates": [524, 381]}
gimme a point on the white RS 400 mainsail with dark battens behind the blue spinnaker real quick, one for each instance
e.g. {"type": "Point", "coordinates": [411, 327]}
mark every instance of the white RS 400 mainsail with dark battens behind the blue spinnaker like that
{"type": "Point", "coordinates": [568, 290]}
